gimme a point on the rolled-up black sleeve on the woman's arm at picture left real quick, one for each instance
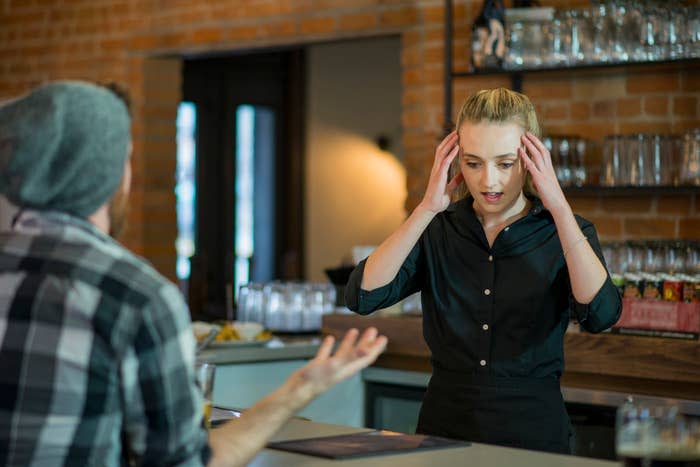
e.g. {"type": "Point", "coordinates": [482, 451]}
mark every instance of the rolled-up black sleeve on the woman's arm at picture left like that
{"type": "Point", "coordinates": [406, 282]}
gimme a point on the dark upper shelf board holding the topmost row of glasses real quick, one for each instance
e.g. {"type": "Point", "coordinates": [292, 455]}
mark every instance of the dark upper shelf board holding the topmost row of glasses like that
{"type": "Point", "coordinates": [680, 64]}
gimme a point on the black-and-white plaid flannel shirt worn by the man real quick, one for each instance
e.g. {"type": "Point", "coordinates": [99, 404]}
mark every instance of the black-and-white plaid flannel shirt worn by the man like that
{"type": "Point", "coordinates": [96, 353]}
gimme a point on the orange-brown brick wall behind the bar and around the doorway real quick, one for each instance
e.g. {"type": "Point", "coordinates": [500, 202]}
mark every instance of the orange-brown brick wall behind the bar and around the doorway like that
{"type": "Point", "coordinates": [138, 42]}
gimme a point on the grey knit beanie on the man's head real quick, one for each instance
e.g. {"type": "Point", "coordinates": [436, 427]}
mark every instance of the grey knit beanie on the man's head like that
{"type": "Point", "coordinates": [63, 147]}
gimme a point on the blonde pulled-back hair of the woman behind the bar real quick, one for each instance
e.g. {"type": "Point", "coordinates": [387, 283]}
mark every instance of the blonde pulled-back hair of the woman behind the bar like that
{"type": "Point", "coordinates": [498, 105]}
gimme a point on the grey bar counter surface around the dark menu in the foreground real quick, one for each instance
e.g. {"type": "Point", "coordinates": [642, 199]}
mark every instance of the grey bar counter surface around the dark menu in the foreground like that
{"type": "Point", "coordinates": [476, 454]}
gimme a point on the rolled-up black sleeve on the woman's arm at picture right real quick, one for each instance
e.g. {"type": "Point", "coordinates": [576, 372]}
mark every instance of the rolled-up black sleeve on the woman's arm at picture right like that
{"type": "Point", "coordinates": [605, 308]}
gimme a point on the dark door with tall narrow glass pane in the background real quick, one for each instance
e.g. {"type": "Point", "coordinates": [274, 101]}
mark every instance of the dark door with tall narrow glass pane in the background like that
{"type": "Point", "coordinates": [248, 174]}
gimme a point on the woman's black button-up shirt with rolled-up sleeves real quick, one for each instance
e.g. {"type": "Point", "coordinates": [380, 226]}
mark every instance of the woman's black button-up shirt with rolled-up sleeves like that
{"type": "Point", "coordinates": [499, 310]}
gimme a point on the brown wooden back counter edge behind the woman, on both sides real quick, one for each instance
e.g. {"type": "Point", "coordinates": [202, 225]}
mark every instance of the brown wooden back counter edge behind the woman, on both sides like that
{"type": "Point", "coordinates": [629, 364]}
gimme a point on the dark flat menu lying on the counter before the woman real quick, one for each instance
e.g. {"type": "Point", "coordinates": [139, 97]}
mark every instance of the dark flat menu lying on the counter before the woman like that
{"type": "Point", "coordinates": [367, 443]}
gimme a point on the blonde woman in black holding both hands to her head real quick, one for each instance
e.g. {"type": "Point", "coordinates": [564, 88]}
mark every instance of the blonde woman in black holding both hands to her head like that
{"type": "Point", "coordinates": [499, 272]}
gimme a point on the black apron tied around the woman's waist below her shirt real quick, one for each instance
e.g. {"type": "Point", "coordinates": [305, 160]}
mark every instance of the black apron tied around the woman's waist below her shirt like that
{"type": "Point", "coordinates": [526, 413]}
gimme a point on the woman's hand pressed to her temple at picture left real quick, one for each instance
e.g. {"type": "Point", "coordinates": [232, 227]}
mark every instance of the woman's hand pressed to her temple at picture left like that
{"type": "Point", "coordinates": [438, 194]}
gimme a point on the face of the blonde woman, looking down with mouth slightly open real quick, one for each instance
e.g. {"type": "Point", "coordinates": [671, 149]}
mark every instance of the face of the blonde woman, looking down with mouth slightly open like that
{"type": "Point", "coordinates": [492, 170]}
